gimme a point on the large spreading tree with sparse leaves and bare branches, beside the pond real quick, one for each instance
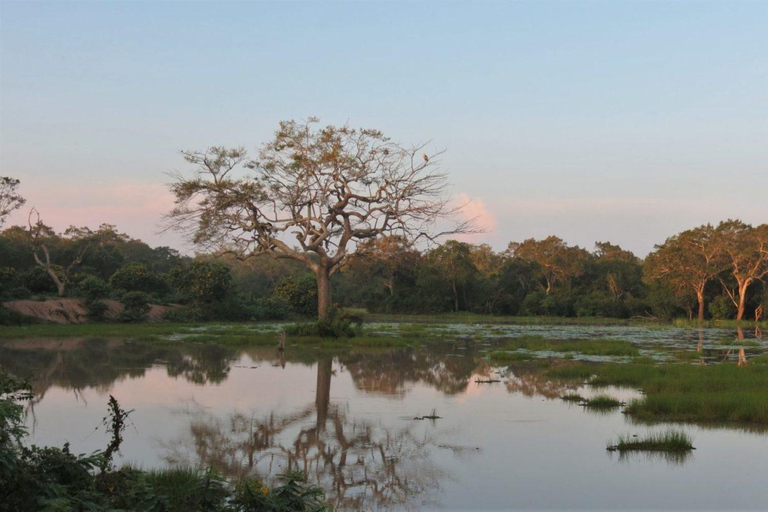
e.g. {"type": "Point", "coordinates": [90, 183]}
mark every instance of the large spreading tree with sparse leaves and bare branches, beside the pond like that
{"type": "Point", "coordinates": [325, 189]}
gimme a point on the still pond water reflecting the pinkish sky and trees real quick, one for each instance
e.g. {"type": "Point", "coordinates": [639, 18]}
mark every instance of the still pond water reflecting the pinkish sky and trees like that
{"type": "Point", "coordinates": [346, 417]}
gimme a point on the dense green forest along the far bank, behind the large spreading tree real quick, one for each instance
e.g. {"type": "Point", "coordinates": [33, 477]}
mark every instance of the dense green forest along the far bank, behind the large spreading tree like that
{"type": "Point", "coordinates": [715, 272]}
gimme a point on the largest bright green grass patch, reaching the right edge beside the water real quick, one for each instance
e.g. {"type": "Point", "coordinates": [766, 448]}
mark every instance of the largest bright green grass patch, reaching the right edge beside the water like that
{"type": "Point", "coordinates": [720, 393]}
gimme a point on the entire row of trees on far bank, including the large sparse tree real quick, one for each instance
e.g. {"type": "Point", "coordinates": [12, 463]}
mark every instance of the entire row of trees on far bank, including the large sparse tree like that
{"type": "Point", "coordinates": [336, 215]}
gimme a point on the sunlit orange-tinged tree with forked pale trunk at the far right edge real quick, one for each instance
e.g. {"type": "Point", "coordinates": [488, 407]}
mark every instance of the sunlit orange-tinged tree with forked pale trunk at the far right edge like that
{"type": "Point", "coordinates": [746, 250]}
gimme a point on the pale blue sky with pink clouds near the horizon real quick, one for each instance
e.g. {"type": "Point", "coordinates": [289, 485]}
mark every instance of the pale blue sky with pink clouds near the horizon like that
{"type": "Point", "coordinates": [594, 121]}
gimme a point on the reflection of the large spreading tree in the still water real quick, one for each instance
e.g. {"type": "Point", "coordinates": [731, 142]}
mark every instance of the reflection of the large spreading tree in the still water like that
{"type": "Point", "coordinates": [361, 464]}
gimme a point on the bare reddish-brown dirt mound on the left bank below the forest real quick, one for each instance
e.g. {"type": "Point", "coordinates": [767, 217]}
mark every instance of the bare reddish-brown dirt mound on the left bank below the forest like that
{"type": "Point", "coordinates": [73, 311]}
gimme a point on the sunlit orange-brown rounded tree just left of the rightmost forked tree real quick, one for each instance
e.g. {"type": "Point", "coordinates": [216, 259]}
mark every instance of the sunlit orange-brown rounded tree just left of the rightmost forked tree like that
{"type": "Point", "coordinates": [688, 261]}
